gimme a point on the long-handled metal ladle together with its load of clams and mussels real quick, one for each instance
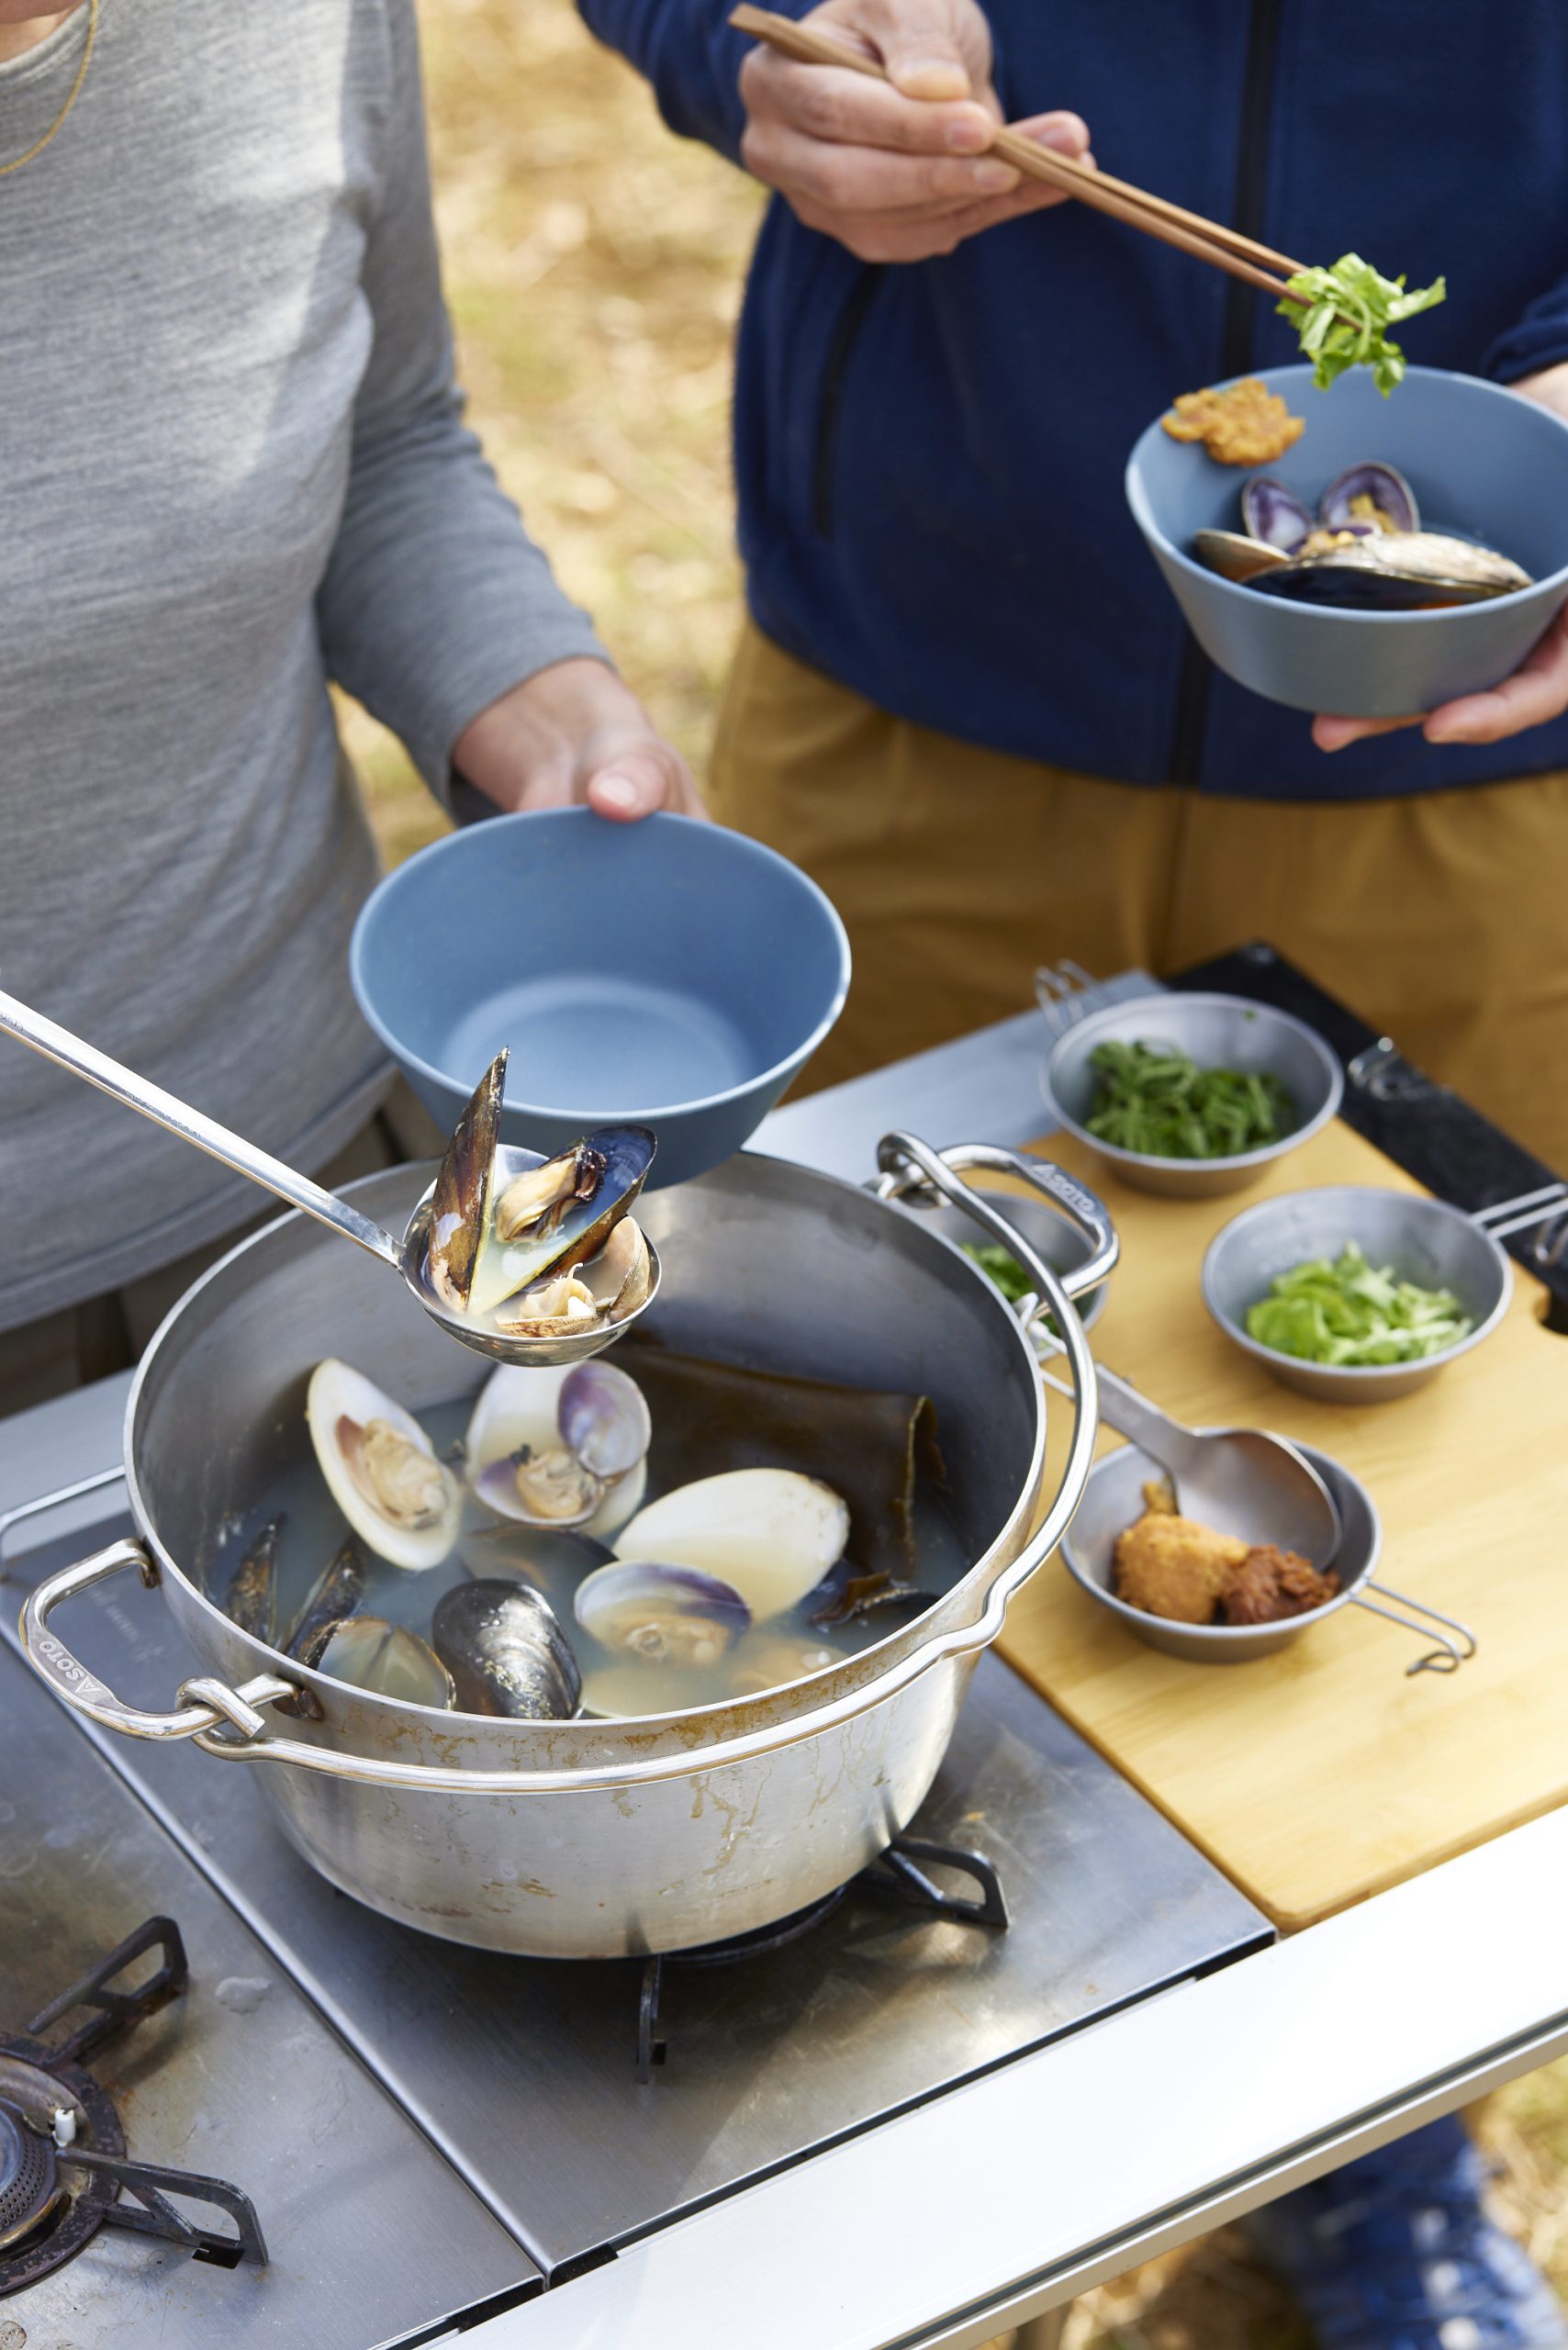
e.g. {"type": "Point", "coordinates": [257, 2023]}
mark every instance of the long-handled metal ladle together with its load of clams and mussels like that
{"type": "Point", "coordinates": [424, 1251]}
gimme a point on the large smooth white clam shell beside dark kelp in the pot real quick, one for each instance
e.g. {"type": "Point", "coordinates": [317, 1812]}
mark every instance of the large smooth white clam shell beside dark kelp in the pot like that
{"type": "Point", "coordinates": [770, 1533]}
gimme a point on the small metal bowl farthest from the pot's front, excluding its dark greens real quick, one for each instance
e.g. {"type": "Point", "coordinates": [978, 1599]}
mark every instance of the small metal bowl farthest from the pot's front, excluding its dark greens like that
{"type": "Point", "coordinates": [1217, 1033]}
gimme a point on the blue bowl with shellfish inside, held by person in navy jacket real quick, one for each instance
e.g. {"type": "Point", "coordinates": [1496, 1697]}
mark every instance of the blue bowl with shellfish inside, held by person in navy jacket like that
{"type": "Point", "coordinates": [1379, 631]}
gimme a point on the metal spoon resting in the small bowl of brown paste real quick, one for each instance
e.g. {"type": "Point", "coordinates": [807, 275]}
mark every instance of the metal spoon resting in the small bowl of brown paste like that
{"type": "Point", "coordinates": [1242, 1482]}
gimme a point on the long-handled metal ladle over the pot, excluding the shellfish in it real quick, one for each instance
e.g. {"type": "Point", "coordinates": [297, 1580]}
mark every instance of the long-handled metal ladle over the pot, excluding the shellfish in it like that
{"type": "Point", "coordinates": [408, 1256]}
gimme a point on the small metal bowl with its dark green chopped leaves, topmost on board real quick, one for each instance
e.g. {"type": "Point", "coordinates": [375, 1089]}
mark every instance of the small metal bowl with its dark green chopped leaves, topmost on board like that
{"type": "Point", "coordinates": [1191, 1094]}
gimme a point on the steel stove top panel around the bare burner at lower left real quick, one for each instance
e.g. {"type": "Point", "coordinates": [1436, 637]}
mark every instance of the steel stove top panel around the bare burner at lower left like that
{"type": "Point", "coordinates": [368, 2231]}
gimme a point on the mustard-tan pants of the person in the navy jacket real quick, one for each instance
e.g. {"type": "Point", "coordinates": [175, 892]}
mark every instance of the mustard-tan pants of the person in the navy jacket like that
{"type": "Point", "coordinates": [958, 871]}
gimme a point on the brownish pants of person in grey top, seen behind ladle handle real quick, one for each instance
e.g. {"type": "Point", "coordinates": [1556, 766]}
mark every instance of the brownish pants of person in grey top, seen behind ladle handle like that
{"type": "Point", "coordinates": [109, 1334]}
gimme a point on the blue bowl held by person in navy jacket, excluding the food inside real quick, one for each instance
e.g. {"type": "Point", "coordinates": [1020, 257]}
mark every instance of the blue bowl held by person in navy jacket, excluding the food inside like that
{"type": "Point", "coordinates": [1485, 464]}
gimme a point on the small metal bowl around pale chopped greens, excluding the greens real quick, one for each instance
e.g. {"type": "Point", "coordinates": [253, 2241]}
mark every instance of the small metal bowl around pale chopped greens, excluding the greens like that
{"type": "Point", "coordinates": [1421, 1240]}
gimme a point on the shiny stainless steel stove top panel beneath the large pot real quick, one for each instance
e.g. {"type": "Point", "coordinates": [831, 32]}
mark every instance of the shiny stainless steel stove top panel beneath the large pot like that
{"type": "Point", "coordinates": [525, 2072]}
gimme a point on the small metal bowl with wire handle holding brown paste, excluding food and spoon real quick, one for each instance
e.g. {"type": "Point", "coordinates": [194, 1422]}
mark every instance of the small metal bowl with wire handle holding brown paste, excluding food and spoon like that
{"type": "Point", "coordinates": [1113, 1498]}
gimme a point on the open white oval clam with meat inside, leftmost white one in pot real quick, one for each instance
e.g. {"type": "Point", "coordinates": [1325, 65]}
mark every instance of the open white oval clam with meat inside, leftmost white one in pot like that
{"type": "Point", "coordinates": [382, 1470]}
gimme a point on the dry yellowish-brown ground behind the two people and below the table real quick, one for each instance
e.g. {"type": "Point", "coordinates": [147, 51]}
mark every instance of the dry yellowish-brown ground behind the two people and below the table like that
{"type": "Point", "coordinates": [594, 271]}
